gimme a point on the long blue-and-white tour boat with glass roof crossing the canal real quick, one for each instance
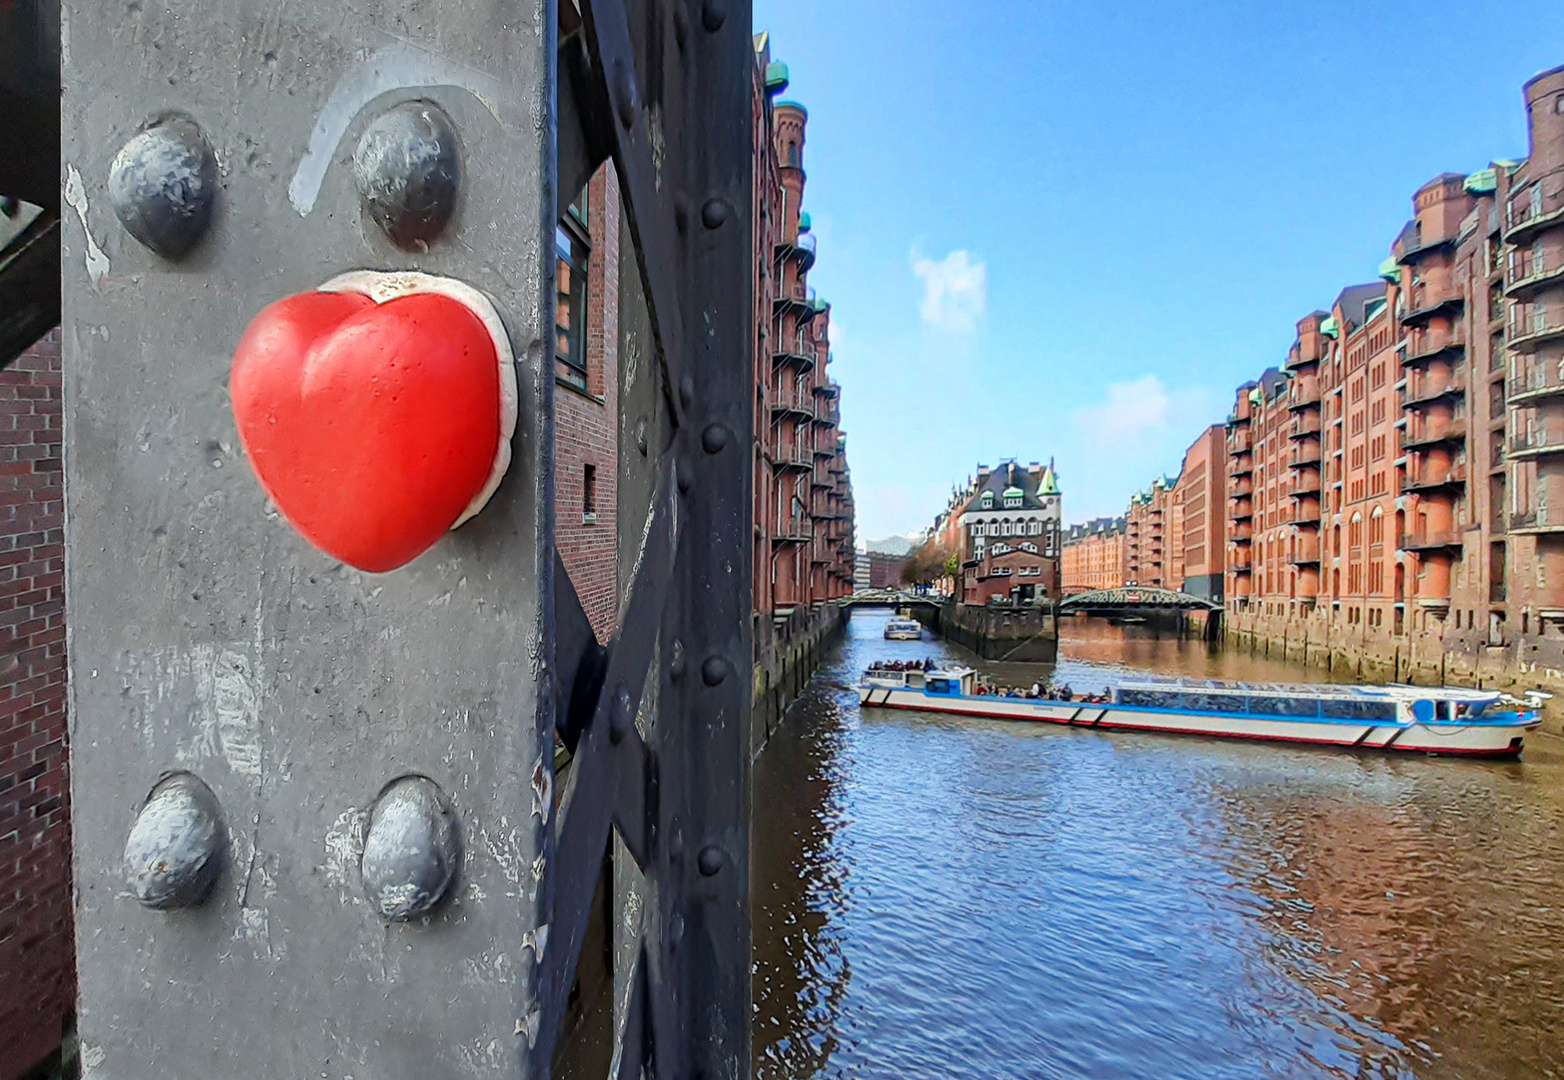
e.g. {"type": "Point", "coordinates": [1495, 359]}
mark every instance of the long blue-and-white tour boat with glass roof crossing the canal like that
{"type": "Point", "coordinates": [1416, 720]}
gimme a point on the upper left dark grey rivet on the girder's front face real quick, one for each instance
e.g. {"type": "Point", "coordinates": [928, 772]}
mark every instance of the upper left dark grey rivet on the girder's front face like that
{"type": "Point", "coordinates": [163, 185]}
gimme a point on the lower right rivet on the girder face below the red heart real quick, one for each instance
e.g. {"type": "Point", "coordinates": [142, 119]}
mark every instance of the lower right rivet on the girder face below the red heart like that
{"type": "Point", "coordinates": [412, 851]}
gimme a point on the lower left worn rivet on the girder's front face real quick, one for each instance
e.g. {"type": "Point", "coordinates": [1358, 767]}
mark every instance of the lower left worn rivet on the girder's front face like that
{"type": "Point", "coordinates": [178, 846]}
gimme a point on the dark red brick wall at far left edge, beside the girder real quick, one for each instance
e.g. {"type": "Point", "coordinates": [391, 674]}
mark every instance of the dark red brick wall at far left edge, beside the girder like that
{"type": "Point", "coordinates": [37, 937]}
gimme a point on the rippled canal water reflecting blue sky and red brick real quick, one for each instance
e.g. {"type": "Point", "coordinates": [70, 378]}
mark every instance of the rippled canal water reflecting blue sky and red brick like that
{"type": "Point", "coordinates": [941, 898]}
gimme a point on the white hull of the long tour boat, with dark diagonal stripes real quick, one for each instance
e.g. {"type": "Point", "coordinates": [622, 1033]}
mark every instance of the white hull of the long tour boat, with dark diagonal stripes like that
{"type": "Point", "coordinates": [1477, 740]}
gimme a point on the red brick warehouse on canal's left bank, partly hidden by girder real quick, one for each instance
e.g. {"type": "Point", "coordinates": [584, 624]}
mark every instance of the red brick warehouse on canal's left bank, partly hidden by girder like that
{"type": "Point", "coordinates": [803, 492]}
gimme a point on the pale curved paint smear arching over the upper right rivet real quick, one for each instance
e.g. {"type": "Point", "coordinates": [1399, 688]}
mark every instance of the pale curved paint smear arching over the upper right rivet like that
{"type": "Point", "coordinates": [395, 68]}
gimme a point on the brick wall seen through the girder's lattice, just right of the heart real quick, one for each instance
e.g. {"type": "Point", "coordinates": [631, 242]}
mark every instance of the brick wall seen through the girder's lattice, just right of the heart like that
{"type": "Point", "coordinates": [586, 426]}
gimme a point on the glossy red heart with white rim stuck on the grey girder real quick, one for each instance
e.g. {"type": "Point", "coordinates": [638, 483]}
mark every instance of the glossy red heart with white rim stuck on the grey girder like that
{"type": "Point", "coordinates": [376, 412]}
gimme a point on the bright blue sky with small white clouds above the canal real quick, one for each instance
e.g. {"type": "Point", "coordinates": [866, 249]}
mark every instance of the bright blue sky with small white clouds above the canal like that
{"type": "Point", "coordinates": [1072, 229]}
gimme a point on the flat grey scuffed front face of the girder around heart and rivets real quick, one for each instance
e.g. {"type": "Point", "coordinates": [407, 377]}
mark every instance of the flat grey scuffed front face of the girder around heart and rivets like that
{"type": "Point", "coordinates": [209, 637]}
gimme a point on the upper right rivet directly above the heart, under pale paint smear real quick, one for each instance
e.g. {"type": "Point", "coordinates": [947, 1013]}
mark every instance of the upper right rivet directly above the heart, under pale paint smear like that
{"type": "Point", "coordinates": [407, 170]}
